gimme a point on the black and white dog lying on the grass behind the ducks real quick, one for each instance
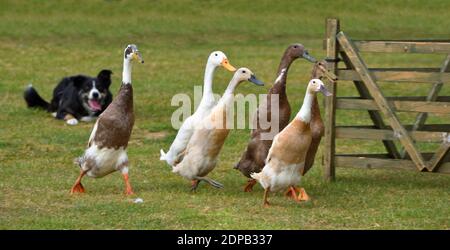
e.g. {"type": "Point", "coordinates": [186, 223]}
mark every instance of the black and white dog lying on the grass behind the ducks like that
{"type": "Point", "coordinates": [75, 98]}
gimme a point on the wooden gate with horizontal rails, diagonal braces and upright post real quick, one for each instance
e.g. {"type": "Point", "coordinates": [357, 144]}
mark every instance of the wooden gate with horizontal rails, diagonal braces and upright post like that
{"type": "Point", "coordinates": [382, 110]}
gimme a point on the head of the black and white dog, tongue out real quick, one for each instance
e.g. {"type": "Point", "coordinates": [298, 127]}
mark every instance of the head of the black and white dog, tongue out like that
{"type": "Point", "coordinates": [94, 93]}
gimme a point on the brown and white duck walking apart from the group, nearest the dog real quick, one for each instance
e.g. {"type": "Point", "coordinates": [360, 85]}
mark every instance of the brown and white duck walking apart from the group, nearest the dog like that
{"type": "Point", "coordinates": [107, 145]}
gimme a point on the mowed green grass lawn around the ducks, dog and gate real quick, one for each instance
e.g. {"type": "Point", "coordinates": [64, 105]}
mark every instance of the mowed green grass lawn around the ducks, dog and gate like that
{"type": "Point", "coordinates": [42, 41]}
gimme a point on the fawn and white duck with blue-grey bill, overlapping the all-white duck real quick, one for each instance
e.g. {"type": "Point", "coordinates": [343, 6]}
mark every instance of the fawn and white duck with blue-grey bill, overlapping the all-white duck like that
{"type": "Point", "coordinates": [202, 151]}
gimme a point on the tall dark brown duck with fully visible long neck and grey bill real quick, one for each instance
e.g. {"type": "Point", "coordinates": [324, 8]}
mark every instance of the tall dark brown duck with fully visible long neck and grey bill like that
{"type": "Point", "coordinates": [253, 158]}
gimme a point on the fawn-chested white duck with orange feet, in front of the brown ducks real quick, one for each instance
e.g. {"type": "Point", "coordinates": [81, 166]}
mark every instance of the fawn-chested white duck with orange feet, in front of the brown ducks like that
{"type": "Point", "coordinates": [287, 155]}
